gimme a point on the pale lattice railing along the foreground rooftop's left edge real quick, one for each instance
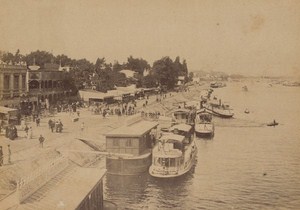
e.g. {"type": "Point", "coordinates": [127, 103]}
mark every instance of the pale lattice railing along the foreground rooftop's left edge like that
{"type": "Point", "coordinates": [26, 186]}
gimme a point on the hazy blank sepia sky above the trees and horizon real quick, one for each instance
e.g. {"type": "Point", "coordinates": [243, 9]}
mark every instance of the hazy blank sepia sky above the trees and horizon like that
{"type": "Point", "coordinates": [234, 36]}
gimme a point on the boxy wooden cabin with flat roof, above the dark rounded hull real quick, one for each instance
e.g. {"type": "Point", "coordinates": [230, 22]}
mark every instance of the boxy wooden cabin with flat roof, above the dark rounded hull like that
{"type": "Point", "coordinates": [133, 139]}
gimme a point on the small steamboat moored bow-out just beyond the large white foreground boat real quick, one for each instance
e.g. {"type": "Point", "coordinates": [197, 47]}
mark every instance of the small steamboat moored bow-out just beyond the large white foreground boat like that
{"type": "Point", "coordinates": [204, 127]}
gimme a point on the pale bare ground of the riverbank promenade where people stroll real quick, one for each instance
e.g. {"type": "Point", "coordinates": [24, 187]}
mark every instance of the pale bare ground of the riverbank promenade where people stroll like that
{"type": "Point", "coordinates": [27, 155]}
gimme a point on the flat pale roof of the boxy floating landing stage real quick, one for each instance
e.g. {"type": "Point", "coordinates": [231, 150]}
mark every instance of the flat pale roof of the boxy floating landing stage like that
{"type": "Point", "coordinates": [136, 129]}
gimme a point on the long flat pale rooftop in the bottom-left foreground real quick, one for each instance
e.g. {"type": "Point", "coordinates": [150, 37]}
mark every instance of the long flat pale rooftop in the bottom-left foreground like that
{"type": "Point", "coordinates": [65, 191]}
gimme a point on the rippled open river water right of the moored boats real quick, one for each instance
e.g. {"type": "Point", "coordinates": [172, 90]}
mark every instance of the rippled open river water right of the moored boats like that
{"type": "Point", "coordinates": [247, 165]}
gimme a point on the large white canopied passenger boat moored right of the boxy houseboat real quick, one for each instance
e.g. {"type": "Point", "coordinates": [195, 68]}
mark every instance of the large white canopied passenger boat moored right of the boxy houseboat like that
{"type": "Point", "coordinates": [174, 154]}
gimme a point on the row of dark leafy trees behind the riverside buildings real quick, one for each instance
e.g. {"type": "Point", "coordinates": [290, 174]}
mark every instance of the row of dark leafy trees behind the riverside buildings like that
{"type": "Point", "coordinates": [105, 76]}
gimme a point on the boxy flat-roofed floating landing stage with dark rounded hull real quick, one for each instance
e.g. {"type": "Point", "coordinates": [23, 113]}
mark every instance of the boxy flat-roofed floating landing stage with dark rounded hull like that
{"type": "Point", "coordinates": [129, 148]}
